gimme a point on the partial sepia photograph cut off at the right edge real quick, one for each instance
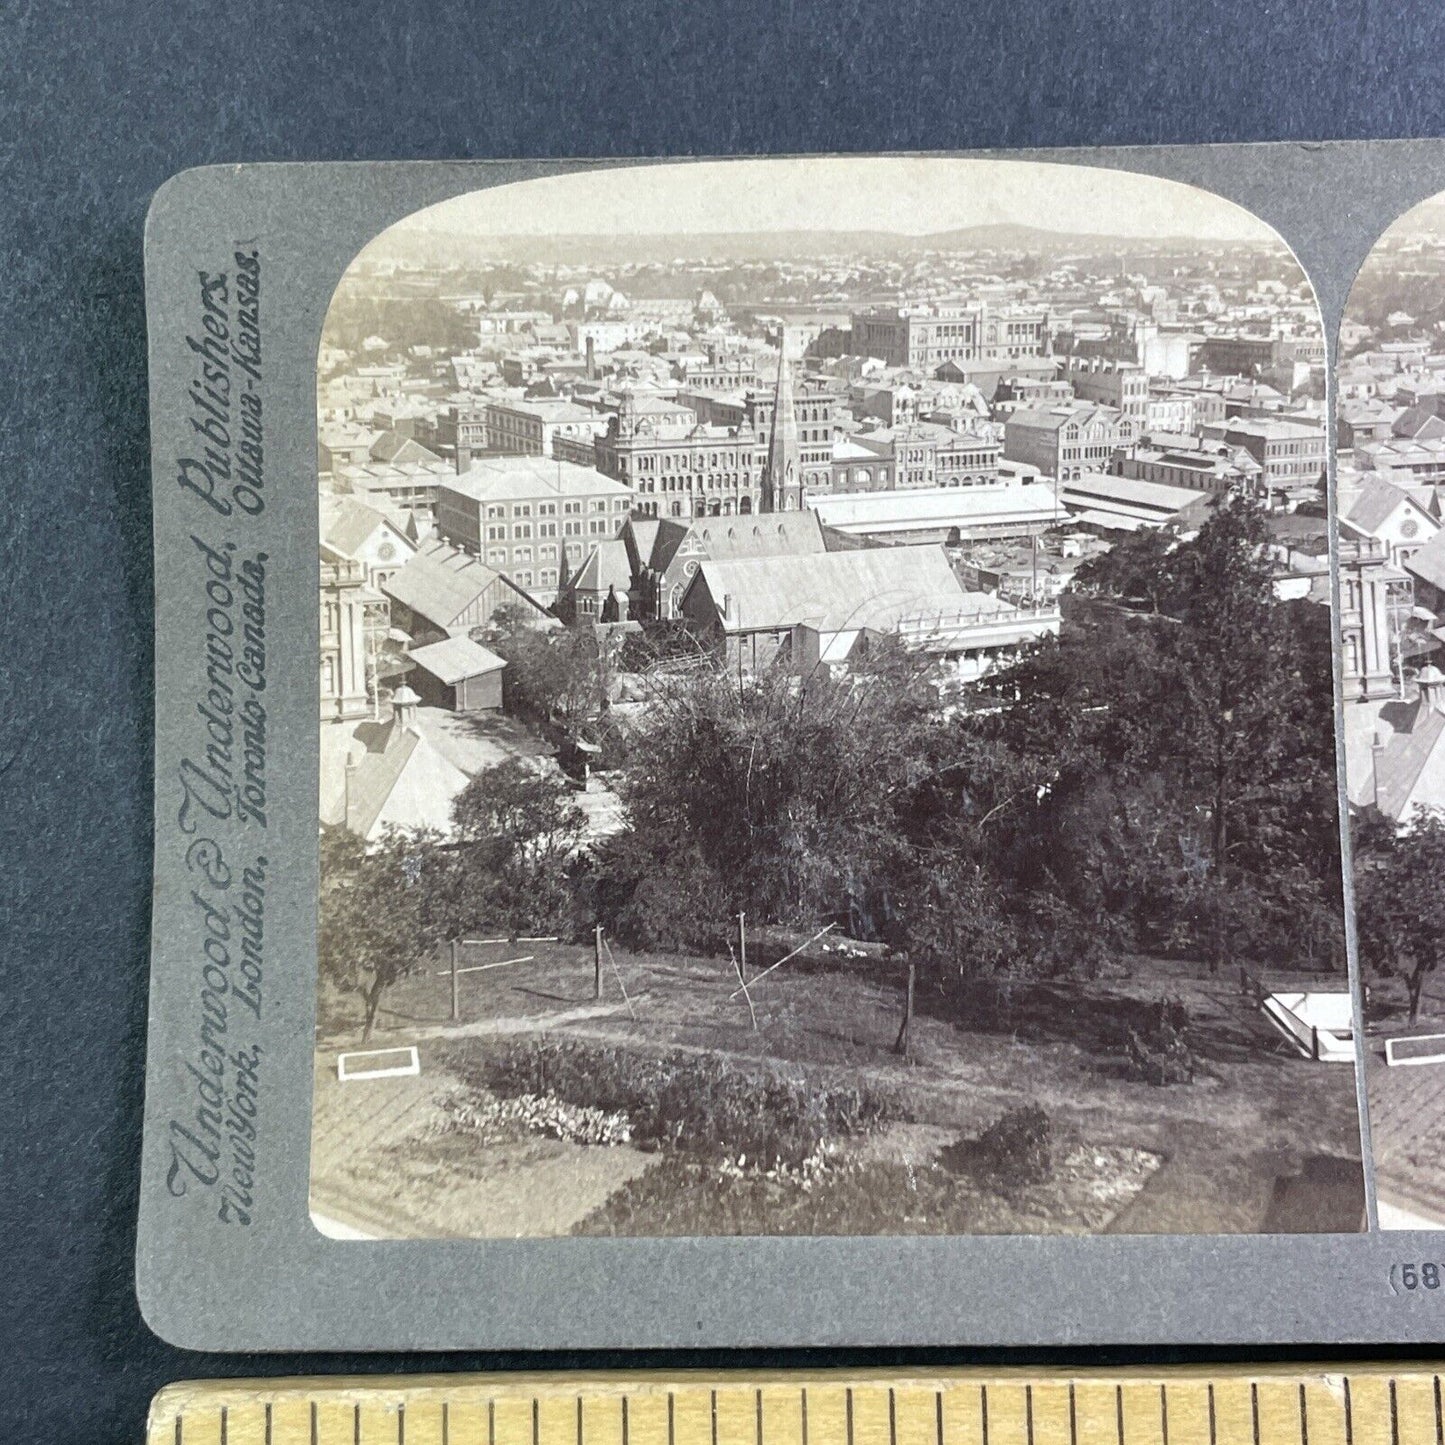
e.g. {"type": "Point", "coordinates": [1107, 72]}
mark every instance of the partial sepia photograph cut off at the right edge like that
{"type": "Point", "coordinates": [1392, 595]}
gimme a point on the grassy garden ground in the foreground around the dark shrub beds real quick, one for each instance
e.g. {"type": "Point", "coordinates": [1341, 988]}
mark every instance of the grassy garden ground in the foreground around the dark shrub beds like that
{"type": "Point", "coordinates": [1129, 1157]}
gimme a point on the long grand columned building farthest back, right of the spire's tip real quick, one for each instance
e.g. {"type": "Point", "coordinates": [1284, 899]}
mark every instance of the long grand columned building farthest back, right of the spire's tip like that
{"type": "Point", "coordinates": [928, 336]}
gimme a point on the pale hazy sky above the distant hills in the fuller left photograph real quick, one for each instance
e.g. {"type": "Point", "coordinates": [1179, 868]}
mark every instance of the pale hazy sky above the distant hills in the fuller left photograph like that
{"type": "Point", "coordinates": [911, 196]}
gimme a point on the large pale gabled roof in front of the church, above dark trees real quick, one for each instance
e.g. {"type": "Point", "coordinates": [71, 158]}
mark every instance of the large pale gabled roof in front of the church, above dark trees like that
{"type": "Point", "coordinates": [874, 587]}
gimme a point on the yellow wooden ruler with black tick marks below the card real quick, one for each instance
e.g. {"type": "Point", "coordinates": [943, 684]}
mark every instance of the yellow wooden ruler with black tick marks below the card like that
{"type": "Point", "coordinates": [1236, 1405]}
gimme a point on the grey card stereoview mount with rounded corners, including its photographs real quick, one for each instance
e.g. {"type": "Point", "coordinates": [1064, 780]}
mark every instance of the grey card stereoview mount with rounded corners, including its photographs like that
{"type": "Point", "coordinates": [801, 751]}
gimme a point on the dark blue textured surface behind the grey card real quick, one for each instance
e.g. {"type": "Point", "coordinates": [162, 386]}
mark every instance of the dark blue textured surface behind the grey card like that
{"type": "Point", "coordinates": [99, 105]}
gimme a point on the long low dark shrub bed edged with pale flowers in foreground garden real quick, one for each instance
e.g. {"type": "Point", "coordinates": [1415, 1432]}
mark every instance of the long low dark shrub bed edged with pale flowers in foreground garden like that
{"type": "Point", "coordinates": [704, 1105]}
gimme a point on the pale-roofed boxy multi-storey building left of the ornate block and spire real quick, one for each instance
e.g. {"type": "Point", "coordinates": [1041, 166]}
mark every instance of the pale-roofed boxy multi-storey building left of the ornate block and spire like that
{"type": "Point", "coordinates": [531, 519]}
